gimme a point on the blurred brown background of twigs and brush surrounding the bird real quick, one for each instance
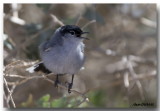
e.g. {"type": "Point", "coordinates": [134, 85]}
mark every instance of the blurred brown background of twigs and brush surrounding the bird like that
{"type": "Point", "coordinates": [121, 55]}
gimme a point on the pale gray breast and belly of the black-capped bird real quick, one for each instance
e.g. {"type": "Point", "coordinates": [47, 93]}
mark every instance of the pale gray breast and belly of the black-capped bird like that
{"type": "Point", "coordinates": [64, 60]}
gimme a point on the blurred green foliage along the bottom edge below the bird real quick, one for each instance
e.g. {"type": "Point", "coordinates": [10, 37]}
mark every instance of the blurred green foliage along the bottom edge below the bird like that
{"type": "Point", "coordinates": [96, 99]}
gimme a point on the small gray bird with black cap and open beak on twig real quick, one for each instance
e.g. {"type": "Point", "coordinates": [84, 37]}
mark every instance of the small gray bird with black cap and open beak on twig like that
{"type": "Point", "coordinates": [62, 54]}
